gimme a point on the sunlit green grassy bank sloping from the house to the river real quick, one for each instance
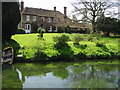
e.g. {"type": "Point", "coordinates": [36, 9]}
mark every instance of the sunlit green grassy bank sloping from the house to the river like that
{"type": "Point", "coordinates": [44, 49]}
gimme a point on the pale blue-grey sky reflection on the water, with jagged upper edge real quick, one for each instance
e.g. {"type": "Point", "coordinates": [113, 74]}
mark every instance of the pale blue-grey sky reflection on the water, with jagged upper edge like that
{"type": "Point", "coordinates": [48, 81]}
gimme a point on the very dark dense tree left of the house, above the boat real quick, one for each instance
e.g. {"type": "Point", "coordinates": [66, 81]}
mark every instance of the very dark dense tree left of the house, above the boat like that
{"type": "Point", "coordinates": [10, 18]}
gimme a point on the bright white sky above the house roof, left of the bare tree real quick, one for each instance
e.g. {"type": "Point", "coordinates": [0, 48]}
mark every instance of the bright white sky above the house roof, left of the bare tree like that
{"type": "Point", "coordinates": [49, 4]}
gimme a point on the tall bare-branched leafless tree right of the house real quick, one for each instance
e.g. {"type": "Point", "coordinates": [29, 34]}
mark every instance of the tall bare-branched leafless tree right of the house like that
{"type": "Point", "coordinates": [91, 9]}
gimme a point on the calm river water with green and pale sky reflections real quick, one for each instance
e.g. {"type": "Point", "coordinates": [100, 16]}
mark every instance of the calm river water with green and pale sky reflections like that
{"type": "Point", "coordinates": [61, 75]}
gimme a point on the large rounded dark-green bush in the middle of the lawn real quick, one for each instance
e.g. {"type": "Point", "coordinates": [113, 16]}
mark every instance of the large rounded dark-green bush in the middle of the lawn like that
{"type": "Point", "coordinates": [61, 40]}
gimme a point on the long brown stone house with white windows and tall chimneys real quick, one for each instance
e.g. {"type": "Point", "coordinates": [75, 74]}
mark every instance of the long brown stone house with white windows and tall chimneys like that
{"type": "Point", "coordinates": [50, 20]}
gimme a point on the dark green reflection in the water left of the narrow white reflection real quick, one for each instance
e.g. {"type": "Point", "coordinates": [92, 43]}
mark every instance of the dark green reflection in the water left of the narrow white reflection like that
{"type": "Point", "coordinates": [10, 77]}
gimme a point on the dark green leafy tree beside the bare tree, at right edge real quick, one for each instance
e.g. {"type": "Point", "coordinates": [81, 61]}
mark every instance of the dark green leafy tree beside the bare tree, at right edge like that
{"type": "Point", "coordinates": [108, 25]}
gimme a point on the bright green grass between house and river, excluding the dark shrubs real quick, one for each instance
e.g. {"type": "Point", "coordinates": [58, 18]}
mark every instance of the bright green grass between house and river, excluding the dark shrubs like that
{"type": "Point", "coordinates": [31, 44]}
